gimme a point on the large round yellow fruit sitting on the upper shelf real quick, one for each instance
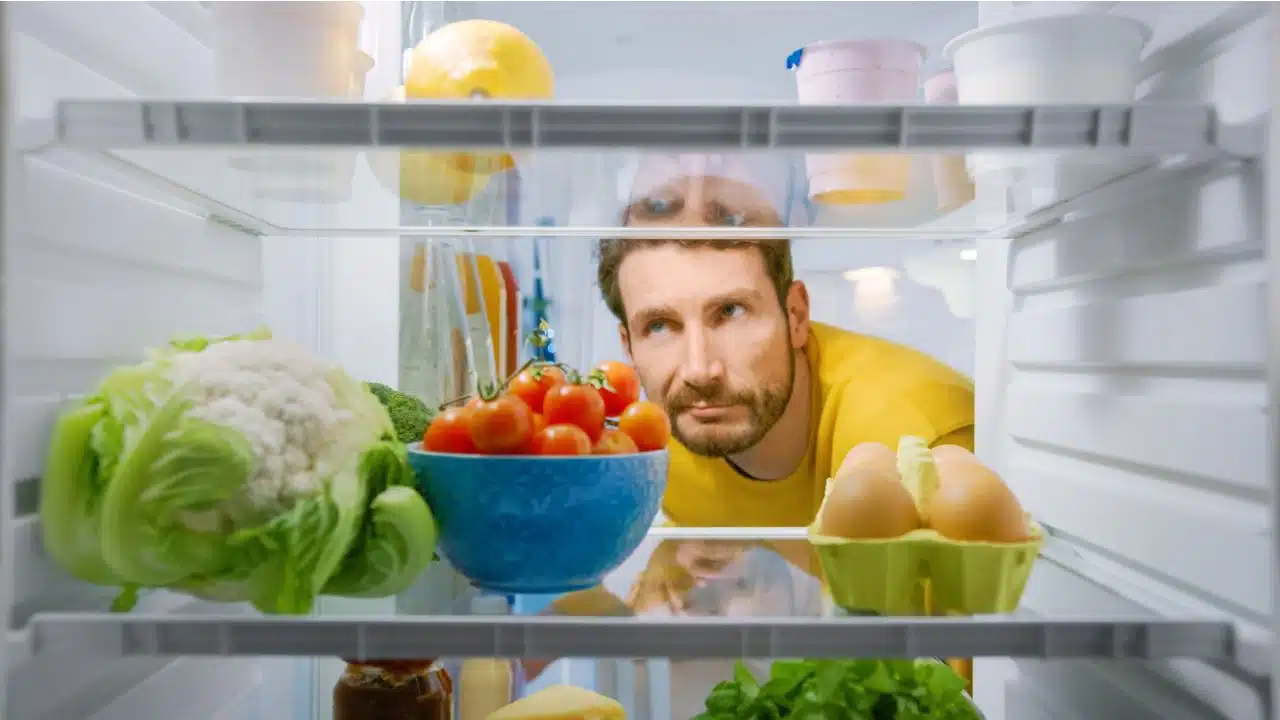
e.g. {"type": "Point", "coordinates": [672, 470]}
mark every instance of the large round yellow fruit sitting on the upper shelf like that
{"type": "Point", "coordinates": [479, 60]}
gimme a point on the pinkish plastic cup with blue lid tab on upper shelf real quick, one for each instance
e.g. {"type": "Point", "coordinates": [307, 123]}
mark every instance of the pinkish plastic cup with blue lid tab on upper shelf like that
{"type": "Point", "coordinates": [860, 72]}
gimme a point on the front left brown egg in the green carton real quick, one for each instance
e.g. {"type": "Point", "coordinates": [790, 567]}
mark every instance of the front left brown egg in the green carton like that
{"type": "Point", "coordinates": [868, 503]}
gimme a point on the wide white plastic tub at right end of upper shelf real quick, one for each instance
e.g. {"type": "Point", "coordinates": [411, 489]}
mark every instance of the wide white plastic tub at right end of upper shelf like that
{"type": "Point", "coordinates": [1062, 60]}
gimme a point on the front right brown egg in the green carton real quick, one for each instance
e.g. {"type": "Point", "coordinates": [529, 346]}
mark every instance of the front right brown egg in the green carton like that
{"type": "Point", "coordinates": [973, 504]}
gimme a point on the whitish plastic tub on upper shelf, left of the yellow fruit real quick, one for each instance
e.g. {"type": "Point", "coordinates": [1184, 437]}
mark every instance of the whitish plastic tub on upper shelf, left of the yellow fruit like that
{"type": "Point", "coordinates": [273, 49]}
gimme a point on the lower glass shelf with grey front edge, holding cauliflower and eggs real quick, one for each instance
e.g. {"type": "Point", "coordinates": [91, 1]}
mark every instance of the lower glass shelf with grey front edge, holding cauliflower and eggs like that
{"type": "Point", "coordinates": [701, 594]}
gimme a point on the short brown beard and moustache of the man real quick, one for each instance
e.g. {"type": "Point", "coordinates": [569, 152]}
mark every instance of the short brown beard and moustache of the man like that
{"type": "Point", "coordinates": [765, 407]}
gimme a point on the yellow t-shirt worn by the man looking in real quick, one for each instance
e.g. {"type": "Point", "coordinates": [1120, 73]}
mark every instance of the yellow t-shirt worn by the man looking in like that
{"type": "Point", "coordinates": [865, 390]}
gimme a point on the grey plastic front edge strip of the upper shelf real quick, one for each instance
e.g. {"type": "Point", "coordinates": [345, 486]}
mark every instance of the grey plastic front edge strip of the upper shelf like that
{"type": "Point", "coordinates": [537, 126]}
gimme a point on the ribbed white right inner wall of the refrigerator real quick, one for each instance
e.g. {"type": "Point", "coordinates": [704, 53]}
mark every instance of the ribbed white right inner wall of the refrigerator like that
{"type": "Point", "coordinates": [1122, 391]}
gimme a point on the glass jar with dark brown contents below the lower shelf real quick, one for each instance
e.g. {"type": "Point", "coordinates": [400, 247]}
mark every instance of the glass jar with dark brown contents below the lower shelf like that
{"type": "Point", "coordinates": [394, 690]}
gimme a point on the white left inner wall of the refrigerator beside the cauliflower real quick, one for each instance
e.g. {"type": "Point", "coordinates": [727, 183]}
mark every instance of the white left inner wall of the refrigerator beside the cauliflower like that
{"type": "Point", "coordinates": [95, 271]}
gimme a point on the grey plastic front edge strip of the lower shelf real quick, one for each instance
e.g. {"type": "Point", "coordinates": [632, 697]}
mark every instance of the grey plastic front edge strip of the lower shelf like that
{"type": "Point", "coordinates": [391, 639]}
